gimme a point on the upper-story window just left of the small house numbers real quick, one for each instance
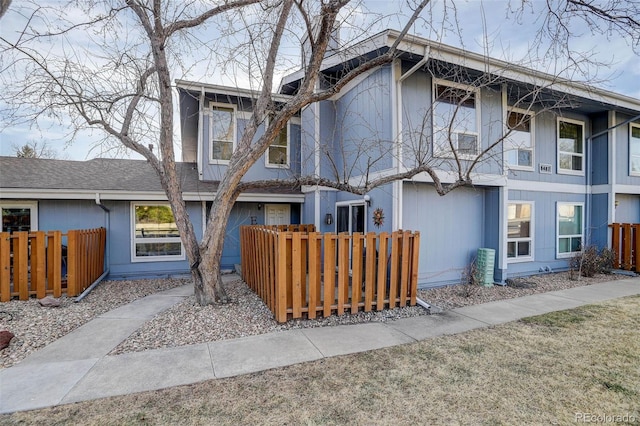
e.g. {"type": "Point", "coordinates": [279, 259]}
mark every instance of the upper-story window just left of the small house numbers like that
{"type": "Point", "coordinates": [519, 144]}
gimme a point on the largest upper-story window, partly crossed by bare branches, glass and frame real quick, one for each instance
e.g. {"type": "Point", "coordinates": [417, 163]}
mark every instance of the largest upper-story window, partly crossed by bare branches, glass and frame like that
{"type": "Point", "coordinates": [456, 118]}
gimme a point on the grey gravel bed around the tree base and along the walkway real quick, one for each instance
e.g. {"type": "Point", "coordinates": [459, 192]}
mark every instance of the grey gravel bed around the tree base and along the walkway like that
{"type": "Point", "coordinates": [188, 323]}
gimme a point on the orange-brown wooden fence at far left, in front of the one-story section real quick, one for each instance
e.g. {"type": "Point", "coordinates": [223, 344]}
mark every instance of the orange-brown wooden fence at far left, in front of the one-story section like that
{"type": "Point", "coordinates": [35, 263]}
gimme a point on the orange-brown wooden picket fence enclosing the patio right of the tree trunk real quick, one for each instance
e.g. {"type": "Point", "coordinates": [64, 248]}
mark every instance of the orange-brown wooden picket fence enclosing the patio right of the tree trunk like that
{"type": "Point", "coordinates": [302, 272]}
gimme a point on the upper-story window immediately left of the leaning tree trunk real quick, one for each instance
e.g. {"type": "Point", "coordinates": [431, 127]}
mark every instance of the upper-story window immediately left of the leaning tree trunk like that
{"type": "Point", "coordinates": [222, 133]}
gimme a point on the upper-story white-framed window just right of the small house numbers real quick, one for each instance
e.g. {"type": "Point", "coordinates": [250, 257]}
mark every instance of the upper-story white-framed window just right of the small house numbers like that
{"type": "Point", "coordinates": [570, 147]}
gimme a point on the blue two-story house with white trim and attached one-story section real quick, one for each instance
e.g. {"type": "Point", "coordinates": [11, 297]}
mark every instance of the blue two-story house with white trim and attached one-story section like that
{"type": "Point", "coordinates": [568, 166]}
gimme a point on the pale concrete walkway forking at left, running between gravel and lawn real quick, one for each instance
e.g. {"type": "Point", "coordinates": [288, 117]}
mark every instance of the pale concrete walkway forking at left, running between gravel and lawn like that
{"type": "Point", "coordinates": [76, 367]}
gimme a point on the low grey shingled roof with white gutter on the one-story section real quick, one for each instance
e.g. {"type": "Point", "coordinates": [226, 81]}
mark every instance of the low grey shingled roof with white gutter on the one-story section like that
{"type": "Point", "coordinates": [109, 179]}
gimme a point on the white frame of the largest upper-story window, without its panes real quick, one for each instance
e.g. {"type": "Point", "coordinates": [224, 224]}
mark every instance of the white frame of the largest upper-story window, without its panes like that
{"type": "Point", "coordinates": [446, 153]}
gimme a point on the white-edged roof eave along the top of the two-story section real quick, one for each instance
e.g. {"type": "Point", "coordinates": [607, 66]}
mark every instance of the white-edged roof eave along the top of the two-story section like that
{"type": "Point", "coordinates": [414, 48]}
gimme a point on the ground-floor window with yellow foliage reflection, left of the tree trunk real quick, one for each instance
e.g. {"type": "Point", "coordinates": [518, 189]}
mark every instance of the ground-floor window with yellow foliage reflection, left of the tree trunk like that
{"type": "Point", "coordinates": [155, 233]}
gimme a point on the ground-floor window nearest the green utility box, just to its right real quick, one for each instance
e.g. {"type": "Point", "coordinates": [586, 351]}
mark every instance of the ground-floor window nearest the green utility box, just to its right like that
{"type": "Point", "coordinates": [520, 231]}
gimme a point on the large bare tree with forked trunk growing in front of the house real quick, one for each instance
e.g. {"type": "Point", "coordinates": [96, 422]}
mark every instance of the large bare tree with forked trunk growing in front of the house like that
{"type": "Point", "coordinates": [123, 86]}
